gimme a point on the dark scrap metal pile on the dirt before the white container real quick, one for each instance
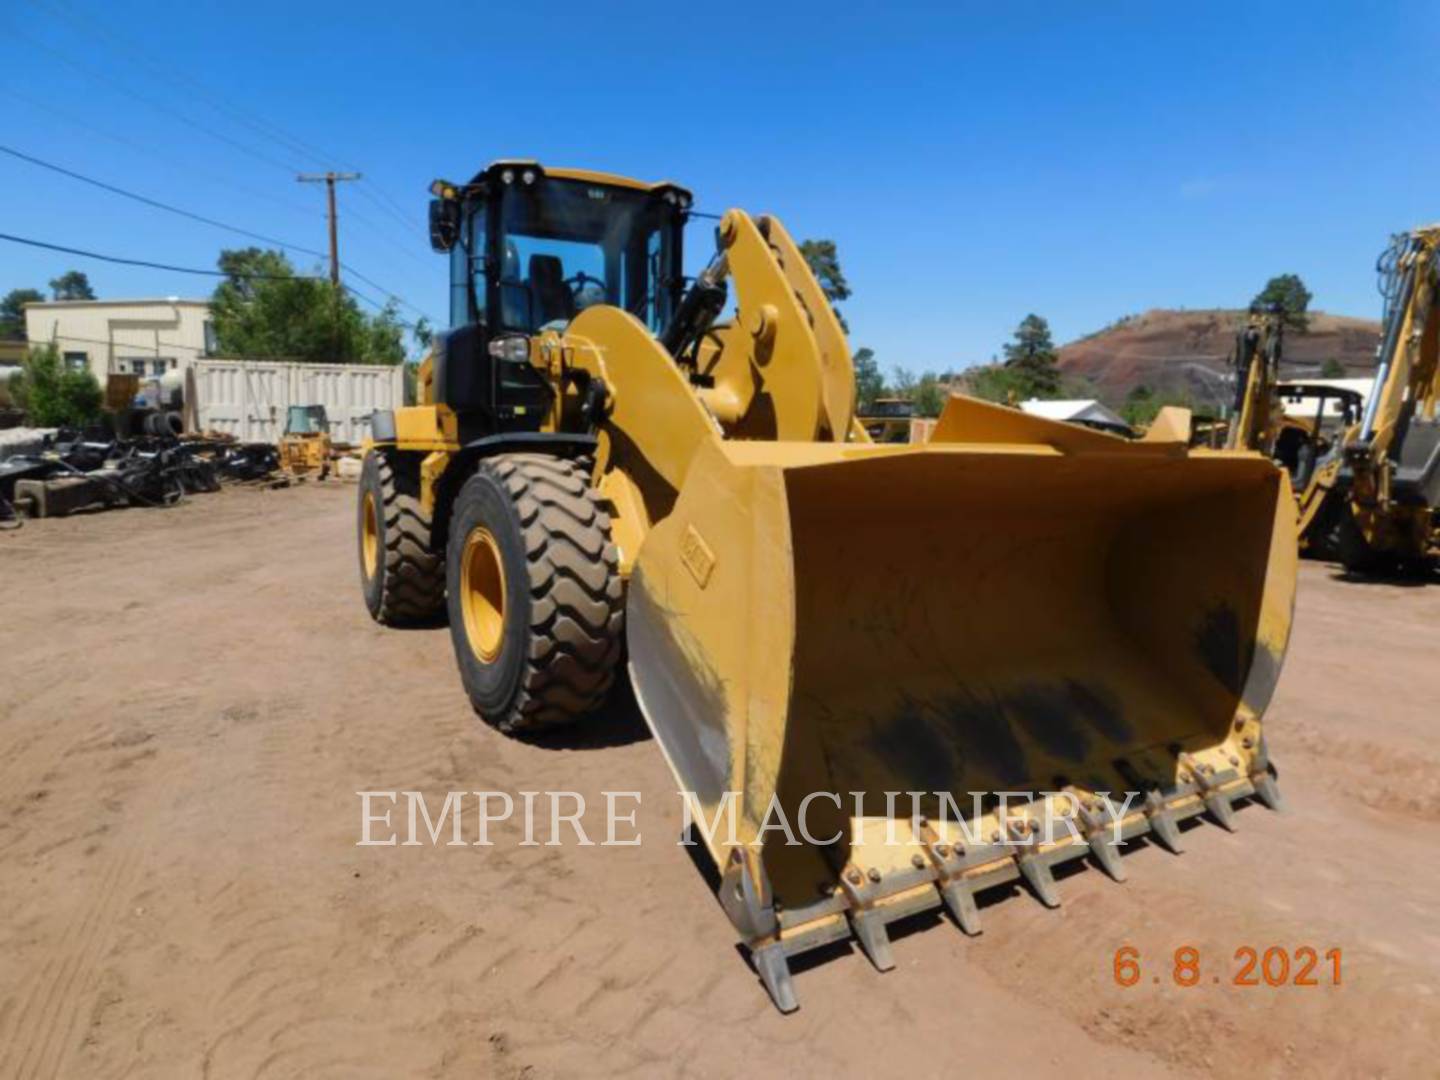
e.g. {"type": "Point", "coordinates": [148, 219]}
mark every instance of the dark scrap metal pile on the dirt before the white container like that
{"type": "Point", "coordinates": [156, 470]}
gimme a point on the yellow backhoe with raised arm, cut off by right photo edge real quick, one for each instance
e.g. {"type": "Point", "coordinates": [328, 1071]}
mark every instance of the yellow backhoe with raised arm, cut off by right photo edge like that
{"type": "Point", "coordinates": [1386, 477]}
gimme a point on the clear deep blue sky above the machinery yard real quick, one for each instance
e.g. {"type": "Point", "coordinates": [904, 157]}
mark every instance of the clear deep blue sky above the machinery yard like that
{"type": "Point", "coordinates": [973, 163]}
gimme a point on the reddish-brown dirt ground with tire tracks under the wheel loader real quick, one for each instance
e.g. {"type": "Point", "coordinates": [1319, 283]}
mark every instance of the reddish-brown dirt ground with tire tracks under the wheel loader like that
{"type": "Point", "coordinates": [194, 698]}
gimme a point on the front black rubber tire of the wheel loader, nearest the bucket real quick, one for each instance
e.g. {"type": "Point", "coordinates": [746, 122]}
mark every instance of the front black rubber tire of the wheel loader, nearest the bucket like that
{"type": "Point", "coordinates": [564, 611]}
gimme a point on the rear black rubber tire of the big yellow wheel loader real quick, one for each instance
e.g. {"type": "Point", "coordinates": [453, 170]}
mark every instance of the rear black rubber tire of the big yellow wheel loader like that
{"type": "Point", "coordinates": [408, 587]}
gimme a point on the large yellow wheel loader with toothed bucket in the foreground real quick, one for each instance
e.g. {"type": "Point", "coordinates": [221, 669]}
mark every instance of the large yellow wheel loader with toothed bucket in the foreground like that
{"type": "Point", "coordinates": [869, 715]}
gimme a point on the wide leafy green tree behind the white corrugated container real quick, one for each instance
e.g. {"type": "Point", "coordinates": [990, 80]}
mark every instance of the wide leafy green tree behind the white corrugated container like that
{"type": "Point", "coordinates": [264, 309]}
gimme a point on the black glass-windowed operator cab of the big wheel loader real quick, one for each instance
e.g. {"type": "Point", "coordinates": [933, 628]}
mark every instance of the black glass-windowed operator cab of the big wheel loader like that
{"type": "Point", "coordinates": [531, 250]}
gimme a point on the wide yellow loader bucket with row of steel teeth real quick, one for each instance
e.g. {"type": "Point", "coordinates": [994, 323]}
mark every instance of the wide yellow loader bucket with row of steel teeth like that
{"type": "Point", "coordinates": [1055, 639]}
